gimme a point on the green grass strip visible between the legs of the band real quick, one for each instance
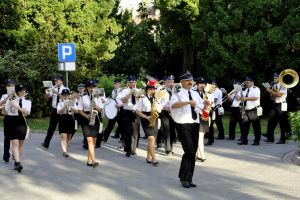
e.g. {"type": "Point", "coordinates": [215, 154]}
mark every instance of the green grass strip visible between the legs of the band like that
{"type": "Point", "coordinates": [42, 124]}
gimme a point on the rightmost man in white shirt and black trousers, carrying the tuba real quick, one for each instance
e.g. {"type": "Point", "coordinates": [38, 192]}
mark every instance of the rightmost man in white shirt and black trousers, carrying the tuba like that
{"type": "Point", "coordinates": [277, 114]}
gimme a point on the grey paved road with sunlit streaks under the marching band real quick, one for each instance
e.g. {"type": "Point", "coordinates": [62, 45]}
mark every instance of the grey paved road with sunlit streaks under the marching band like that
{"type": "Point", "coordinates": [231, 172]}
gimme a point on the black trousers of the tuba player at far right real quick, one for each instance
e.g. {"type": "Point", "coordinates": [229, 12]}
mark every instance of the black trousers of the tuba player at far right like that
{"type": "Point", "coordinates": [275, 116]}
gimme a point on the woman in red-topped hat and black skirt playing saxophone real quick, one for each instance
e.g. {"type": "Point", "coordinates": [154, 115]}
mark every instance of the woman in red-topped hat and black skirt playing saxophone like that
{"type": "Point", "coordinates": [143, 110]}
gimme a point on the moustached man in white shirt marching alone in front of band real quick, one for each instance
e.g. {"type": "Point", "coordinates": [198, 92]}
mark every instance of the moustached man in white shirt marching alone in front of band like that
{"type": "Point", "coordinates": [185, 107]}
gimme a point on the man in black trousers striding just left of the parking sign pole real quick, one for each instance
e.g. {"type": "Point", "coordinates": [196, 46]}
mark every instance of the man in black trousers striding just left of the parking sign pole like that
{"type": "Point", "coordinates": [55, 95]}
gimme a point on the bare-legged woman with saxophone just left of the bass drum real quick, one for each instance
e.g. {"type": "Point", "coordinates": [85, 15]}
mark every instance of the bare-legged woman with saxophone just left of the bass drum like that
{"type": "Point", "coordinates": [88, 103]}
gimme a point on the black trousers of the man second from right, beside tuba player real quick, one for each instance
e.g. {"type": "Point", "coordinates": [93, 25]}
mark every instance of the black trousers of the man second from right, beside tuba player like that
{"type": "Point", "coordinates": [256, 128]}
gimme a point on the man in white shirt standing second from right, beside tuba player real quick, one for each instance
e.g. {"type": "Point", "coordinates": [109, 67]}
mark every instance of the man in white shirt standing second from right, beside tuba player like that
{"type": "Point", "coordinates": [251, 101]}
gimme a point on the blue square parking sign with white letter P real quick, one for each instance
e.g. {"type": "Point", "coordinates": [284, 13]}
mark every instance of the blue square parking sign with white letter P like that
{"type": "Point", "coordinates": [66, 52]}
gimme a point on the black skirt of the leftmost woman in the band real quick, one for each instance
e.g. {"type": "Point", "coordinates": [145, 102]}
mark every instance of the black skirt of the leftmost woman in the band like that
{"type": "Point", "coordinates": [15, 127]}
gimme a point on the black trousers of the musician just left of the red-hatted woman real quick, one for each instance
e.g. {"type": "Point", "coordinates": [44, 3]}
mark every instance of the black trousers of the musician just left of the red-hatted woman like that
{"type": "Point", "coordinates": [130, 121]}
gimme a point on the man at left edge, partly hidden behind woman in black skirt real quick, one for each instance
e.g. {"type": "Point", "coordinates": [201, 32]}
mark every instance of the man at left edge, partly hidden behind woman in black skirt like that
{"type": "Point", "coordinates": [10, 83]}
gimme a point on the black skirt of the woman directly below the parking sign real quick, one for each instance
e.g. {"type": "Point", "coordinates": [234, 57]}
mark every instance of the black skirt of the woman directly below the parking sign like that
{"type": "Point", "coordinates": [66, 124]}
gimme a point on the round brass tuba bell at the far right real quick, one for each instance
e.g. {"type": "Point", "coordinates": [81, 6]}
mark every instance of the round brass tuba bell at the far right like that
{"type": "Point", "coordinates": [288, 78]}
